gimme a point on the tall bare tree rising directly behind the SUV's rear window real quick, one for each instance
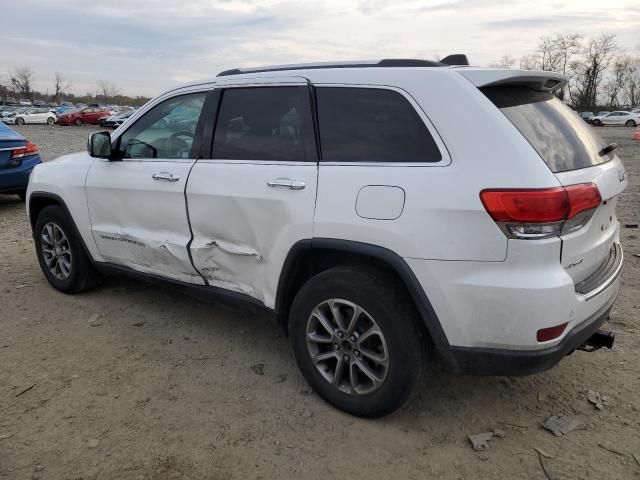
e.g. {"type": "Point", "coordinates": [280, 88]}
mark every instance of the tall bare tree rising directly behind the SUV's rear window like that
{"type": "Point", "coordinates": [588, 71]}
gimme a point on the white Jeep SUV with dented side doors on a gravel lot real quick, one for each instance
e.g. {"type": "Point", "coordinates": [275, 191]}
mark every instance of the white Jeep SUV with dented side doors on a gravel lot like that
{"type": "Point", "coordinates": [390, 214]}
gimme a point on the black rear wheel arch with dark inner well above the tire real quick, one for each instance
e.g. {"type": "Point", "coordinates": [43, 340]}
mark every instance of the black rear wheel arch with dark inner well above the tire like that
{"type": "Point", "coordinates": [309, 257]}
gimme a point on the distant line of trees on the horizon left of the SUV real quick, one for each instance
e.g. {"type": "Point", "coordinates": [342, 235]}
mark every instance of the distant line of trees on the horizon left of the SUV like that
{"type": "Point", "coordinates": [19, 86]}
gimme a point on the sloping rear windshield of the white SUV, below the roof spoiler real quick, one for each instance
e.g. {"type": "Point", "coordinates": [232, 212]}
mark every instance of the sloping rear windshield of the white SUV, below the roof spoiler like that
{"type": "Point", "coordinates": [559, 135]}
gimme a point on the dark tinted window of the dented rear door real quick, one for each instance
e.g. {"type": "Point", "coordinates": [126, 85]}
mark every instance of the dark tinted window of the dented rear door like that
{"type": "Point", "coordinates": [265, 123]}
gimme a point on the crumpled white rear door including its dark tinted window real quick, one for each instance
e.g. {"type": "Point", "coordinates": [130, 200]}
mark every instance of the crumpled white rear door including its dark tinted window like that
{"type": "Point", "coordinates": [255, 197]}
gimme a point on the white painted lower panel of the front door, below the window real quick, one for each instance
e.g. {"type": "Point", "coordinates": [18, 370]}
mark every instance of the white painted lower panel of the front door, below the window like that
{"type": "Point", "coordinates": [139, 222]}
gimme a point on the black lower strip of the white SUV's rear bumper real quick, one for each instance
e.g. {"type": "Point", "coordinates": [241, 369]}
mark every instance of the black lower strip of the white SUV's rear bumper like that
{"type": "Point", "coordinates": [489, 361]}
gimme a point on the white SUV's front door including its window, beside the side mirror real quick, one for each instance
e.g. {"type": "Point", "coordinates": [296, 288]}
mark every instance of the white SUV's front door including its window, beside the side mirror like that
{"type": "Point", "coordinates": [137, 204]}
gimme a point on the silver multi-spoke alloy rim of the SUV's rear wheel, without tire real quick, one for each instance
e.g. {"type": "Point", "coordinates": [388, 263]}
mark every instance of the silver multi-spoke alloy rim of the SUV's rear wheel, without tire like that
{"type": "Point", "coordinates": [347, 347]}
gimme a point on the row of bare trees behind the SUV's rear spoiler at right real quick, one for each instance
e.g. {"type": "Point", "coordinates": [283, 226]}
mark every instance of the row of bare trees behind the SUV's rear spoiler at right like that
{"type": "Point", "coordinates": [602, 76]}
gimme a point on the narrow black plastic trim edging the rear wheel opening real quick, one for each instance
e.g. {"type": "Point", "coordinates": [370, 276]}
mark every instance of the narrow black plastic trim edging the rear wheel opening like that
{"type": "Point", "coordinates": [392, 259]}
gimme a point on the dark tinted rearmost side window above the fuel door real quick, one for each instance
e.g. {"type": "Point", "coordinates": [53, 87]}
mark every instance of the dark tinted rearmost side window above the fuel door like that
{"type": "Point", "coordinates": [372, 125]}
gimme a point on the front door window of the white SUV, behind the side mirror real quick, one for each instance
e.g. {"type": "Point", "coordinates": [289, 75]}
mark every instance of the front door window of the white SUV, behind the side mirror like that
{"type": "Point", "coordinates": [165, 131]}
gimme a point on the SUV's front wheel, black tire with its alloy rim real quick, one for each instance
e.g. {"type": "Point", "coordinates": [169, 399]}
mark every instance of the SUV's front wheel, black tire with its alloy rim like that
{"type": "Point", "coordinates": [78, 275]}
